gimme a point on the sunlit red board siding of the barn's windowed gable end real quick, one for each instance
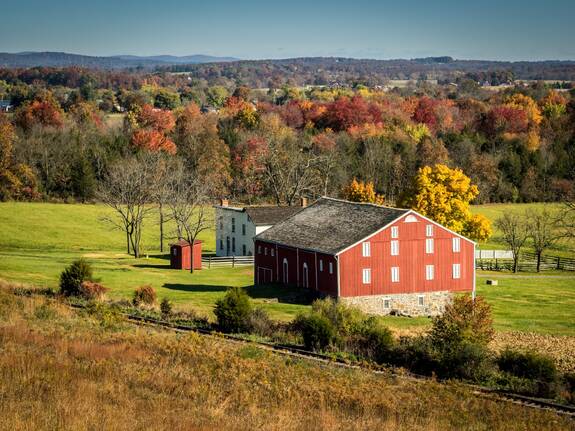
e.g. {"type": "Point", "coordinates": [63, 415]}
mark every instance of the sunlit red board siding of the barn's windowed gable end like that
{"type": "Point", "coordinates": [411, 261]}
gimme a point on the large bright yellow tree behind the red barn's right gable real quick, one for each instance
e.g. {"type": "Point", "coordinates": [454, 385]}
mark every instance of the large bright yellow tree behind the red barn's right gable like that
{"type": "Point", "coordinates": [443, 194]}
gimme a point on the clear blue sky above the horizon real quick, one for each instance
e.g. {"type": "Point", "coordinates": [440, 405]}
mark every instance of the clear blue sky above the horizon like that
{"type": "Point", "coordinates": [250, 29]}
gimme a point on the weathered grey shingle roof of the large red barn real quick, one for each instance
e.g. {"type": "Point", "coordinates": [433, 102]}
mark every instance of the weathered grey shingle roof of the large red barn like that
{"type": "Point", "coordinates": [331, 225]}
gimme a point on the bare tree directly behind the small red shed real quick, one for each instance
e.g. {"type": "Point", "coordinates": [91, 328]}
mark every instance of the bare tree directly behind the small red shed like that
{"type": "Point", "coordinates": [188, 202]}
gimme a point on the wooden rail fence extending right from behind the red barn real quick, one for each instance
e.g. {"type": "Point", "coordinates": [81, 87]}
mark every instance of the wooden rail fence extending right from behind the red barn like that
{"type": "Point", "coordinates": [503, 261]}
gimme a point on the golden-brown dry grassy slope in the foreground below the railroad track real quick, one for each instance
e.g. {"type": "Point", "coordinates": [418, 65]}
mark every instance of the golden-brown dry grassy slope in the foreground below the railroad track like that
{"type": "Point", "coordinates": [62, 370]}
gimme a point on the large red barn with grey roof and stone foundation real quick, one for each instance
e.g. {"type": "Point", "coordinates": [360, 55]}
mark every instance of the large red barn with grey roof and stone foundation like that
{"type": "Point", "coordinates": [381, 259]}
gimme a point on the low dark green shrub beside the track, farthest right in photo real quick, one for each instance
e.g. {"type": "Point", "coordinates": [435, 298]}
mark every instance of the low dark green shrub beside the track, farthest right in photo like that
{"type": "Point", "coordinates": [530, 365]}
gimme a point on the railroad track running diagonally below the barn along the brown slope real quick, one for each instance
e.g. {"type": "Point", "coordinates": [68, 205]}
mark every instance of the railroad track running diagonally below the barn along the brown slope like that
{"type": "Point", "coordinates": [484, 392]}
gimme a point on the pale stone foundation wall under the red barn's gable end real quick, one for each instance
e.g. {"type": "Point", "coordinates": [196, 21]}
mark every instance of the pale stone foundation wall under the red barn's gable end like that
{"type": "Point", "coordinates": [405, 304]}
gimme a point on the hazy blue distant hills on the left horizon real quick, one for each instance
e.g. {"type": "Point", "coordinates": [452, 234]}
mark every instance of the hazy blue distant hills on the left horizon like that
{"type": "Point", "coordinates": [63, 59]}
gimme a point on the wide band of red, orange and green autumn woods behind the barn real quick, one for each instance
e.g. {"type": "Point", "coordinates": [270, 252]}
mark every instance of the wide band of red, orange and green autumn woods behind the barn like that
{"type": "Point", "coordinates": [517, 145]}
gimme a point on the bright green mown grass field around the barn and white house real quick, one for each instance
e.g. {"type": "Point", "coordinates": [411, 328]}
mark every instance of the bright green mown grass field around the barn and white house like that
{"type": "Point", "coordinates": [37, 240]}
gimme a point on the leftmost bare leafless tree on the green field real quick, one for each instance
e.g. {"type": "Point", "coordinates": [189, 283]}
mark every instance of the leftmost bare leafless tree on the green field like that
{"type": "Point", "coordinates": [129, 190]}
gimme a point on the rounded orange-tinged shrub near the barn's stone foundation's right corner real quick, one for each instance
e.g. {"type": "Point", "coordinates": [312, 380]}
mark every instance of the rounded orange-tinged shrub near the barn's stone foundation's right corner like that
{"type": "Point", "coordinates": [463, 320]}
